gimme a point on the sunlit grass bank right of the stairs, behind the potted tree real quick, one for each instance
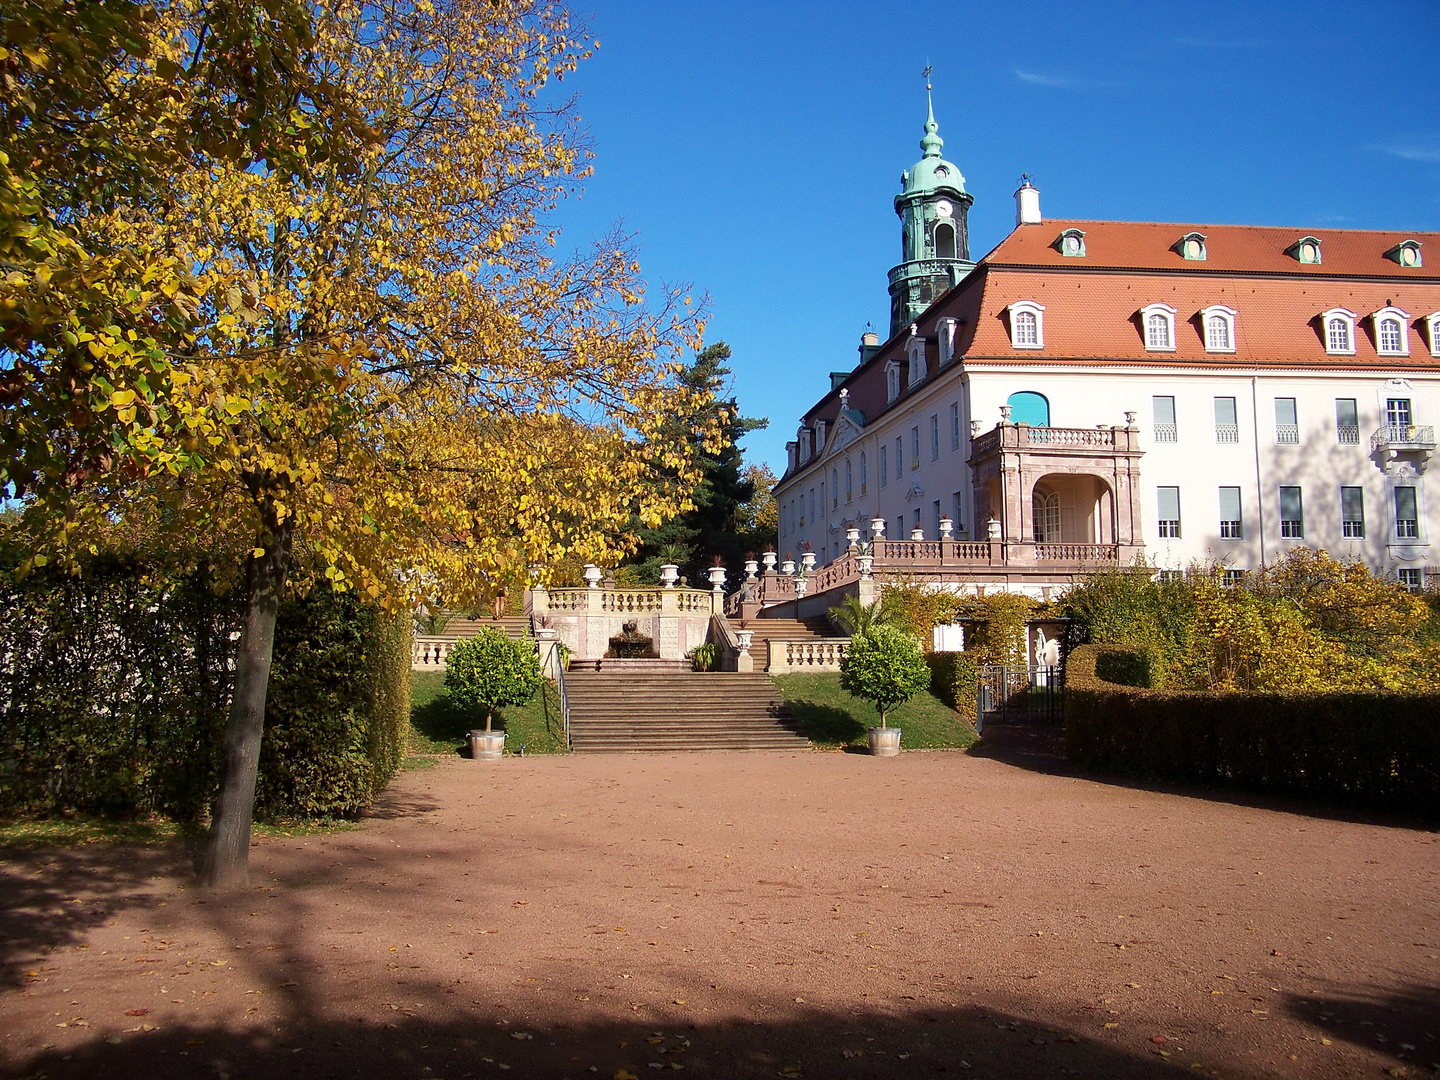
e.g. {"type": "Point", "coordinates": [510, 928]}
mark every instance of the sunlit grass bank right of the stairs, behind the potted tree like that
{"type": "Point", "coordinates": [830, 718]}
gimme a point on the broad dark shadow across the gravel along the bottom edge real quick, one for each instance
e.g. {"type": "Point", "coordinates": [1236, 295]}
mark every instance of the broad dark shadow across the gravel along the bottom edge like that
{"type": "Point", "coordinates": [860, 1045]}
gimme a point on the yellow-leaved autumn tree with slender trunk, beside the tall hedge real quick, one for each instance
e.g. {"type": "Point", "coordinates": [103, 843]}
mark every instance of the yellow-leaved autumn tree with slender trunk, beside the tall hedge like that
{"type": "Point", "coordinates": [387, 362]}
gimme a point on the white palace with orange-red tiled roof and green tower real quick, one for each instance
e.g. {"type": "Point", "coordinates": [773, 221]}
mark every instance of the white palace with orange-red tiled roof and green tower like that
{"type": "Point", "coordinates": [1092, 392]}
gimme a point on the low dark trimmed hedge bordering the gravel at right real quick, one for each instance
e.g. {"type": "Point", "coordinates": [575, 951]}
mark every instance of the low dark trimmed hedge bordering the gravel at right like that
{"type": "Point", "coordinates": [1380, 750]}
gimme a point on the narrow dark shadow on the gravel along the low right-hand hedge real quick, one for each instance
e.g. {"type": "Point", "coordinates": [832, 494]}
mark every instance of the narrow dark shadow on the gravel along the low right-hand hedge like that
{"type": "Point", "coordinates": [1038, 747]}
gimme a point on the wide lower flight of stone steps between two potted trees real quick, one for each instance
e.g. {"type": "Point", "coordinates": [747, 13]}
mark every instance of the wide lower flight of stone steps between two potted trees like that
{"type": "Point", "coordinates": [621, 712]}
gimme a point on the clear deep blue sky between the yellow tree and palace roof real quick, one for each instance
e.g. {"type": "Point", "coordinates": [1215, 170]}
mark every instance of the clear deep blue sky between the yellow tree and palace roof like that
{"type": "Point", "coordinates": [755, 149]}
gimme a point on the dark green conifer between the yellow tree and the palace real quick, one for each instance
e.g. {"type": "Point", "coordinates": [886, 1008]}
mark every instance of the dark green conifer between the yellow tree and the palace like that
{"type": "Point", "coordinates": [724, 521]}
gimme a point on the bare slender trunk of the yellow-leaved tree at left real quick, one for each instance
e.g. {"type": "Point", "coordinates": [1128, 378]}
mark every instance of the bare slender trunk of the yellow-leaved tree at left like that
{"type": "Point", "coordinates": [228, 856]}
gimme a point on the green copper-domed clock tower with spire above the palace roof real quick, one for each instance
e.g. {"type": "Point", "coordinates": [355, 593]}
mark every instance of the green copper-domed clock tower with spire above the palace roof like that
{"type": "Point", "coordinates": [935, 240]}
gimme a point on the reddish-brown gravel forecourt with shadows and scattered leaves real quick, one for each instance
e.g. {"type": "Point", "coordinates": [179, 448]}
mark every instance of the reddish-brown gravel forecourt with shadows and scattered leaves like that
{"type": "Point", "coordinates": [796, 915]}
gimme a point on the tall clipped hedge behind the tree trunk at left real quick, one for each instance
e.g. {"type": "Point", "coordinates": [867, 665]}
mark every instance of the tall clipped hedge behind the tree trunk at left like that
{"type": "Point", "coordinates": [114, 693]}
